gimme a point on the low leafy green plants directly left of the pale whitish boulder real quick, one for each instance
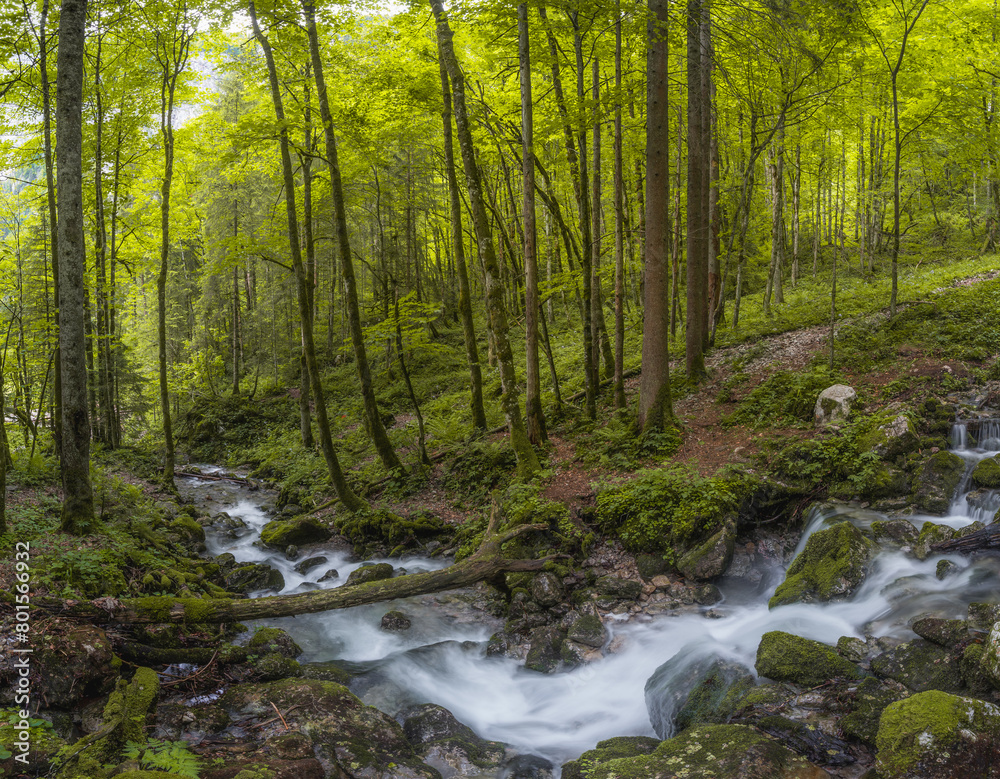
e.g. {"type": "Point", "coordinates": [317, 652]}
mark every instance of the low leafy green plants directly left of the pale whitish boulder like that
{"type": "Point", "coordinates": [783, 399]}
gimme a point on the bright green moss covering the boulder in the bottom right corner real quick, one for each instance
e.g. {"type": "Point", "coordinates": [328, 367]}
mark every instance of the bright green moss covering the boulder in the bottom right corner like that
{"type": "Point", "coordinates": [926, 728]}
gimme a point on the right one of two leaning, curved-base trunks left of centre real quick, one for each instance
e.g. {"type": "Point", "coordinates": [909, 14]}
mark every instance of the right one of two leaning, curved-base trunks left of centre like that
{"type": "Point", "coordinates": [376, 430]}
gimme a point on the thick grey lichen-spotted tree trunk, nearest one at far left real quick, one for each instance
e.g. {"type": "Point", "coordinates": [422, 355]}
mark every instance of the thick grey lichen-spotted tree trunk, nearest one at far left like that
{"type": "Point", "coordinates": [78, 498]}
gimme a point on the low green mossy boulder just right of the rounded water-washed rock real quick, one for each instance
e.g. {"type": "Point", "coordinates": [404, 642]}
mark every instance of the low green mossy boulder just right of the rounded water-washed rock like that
{"type": "Point", "coordinates": [785, 657]}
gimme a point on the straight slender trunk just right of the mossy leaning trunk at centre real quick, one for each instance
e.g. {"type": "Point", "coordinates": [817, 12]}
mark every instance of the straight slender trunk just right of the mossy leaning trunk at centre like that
{"type": "Point", "coordinates": [533, 394]}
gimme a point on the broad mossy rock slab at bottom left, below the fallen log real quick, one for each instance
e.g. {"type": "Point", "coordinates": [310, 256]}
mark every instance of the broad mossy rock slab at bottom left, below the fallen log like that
{"type": "Point", "coordinates": [365, 741]}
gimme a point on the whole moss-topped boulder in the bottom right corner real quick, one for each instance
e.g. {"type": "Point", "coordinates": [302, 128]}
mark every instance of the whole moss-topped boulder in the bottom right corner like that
{"type": "Point", "coordinates": [934, 735]}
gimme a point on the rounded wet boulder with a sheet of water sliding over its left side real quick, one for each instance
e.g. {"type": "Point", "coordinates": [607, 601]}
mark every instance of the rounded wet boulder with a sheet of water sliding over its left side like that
{"type": "Point", "coordinates": [684, 692]}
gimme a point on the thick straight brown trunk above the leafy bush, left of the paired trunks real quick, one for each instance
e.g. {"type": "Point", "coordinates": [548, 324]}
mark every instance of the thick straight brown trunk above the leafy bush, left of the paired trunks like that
{"type": "Point", "coordinates": [655, 407]}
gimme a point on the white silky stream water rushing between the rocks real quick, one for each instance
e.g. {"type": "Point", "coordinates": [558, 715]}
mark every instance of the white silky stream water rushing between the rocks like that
{"type": "Point", "coordinates": [442, 658]}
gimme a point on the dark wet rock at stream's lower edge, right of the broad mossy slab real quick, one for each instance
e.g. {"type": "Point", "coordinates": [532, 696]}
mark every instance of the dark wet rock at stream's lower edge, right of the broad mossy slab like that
{"type": "Point", "coordinates": [449, 746]}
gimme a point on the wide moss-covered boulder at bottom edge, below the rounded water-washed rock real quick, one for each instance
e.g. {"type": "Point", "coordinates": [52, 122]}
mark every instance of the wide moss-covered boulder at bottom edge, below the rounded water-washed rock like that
{"type": "Point", "coordinates": [713, 752]}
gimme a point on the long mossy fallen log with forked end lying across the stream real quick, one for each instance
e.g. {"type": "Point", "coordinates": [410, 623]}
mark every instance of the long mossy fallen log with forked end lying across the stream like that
{"type": "Point", "coordinates": [486, 563]}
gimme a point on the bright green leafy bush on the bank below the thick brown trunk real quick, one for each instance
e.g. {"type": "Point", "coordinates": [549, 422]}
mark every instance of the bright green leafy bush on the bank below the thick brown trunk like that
{"type": "Point", "coordinates": [663, 507]}
